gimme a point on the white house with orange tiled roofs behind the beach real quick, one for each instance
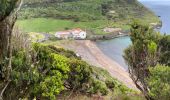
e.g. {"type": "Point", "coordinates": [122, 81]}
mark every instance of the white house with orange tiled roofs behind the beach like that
{"type": "Point", "coordinates": [74, 33]}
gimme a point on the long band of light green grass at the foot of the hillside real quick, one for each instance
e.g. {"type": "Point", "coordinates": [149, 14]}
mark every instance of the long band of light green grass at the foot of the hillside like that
{"type": "Point", "coordinates": [50, 25]}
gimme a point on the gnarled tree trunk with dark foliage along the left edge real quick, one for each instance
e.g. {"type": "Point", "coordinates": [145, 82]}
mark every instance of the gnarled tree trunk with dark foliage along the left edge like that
{"type": "Point", "coordinates": [7, 20]}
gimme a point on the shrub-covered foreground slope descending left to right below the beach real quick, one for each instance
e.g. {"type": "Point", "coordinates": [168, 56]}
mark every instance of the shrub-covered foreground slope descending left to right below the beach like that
{"type": "Point", "coordinates": [45, 72]}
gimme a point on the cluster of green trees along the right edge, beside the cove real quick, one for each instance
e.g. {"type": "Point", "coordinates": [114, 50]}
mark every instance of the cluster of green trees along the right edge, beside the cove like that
{"type": "Point", "coordinates": [143, 54]}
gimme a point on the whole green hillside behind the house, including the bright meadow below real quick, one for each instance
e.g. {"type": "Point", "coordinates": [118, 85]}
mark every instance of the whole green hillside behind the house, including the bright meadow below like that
{"type": "Point", "coordinates": [44, 16]}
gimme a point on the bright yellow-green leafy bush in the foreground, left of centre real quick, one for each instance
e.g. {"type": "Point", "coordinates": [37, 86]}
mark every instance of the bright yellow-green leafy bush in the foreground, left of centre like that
{"type": "Point", "coordinates": [54, 71]}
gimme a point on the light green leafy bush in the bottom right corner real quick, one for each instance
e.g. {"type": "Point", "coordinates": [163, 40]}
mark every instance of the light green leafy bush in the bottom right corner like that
{"type": "Point", "coordinates": [159, 82]}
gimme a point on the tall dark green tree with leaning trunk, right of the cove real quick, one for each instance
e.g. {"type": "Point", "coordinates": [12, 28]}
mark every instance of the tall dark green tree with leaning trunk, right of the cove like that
{"type": "Point", "coordinates": [141, 54]}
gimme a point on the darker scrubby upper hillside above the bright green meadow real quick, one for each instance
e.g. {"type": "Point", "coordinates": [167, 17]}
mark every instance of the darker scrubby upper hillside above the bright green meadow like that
{"type": "Point", "coordinates": [81, 10]}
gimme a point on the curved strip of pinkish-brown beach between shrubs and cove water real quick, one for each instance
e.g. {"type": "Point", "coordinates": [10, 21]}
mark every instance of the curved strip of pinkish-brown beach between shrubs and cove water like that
{"type": "Point", "coordinates": [93, 55]}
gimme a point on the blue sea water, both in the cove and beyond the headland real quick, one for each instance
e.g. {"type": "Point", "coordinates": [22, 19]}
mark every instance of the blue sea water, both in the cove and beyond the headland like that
{"type": "Point", "coordinates": [114, 48]}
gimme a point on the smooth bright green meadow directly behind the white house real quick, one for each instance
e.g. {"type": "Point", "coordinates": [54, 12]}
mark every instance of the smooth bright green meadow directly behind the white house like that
{"type": "Point", "coordinates": [50, 25]}
